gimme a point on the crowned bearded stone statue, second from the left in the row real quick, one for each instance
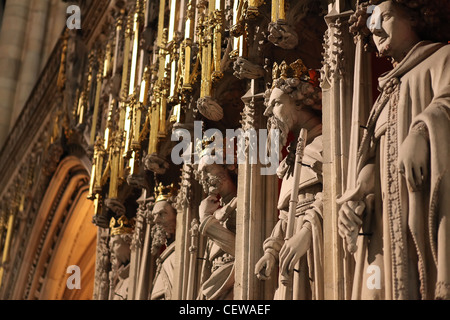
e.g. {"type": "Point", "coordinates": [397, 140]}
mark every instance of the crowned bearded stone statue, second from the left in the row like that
{"type": "Point", "coordinates": [163, 235]}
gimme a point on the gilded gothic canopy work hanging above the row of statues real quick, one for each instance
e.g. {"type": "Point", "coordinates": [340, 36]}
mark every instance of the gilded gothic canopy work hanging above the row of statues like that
{"type": "Point", "coordinates": [154, 89]}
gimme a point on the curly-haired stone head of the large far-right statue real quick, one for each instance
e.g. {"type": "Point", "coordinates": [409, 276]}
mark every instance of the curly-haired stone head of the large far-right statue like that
{"type": "Point", "coordinates": [389, 26]}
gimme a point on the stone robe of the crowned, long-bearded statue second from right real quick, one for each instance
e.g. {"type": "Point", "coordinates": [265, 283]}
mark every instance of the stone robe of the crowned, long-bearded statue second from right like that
{"type": "Point", "coordinates": [307, 282]}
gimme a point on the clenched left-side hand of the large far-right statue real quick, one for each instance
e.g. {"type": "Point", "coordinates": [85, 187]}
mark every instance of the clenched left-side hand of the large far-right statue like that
{"type": "Point", "coordinates": [349, 222]}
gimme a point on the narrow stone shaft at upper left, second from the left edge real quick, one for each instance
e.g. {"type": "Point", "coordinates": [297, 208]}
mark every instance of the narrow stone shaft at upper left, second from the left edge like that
{"type": "Point", "coordinates": [32, 55]}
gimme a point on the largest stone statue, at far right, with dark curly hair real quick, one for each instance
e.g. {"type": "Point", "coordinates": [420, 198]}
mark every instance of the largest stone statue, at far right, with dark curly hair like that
{"type": "Point", "coordinates": [402, 251]}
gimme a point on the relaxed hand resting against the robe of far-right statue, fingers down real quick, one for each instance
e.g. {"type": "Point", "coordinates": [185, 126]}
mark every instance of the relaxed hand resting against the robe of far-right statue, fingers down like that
{"type": "Point", "coordinates": [413, 160]}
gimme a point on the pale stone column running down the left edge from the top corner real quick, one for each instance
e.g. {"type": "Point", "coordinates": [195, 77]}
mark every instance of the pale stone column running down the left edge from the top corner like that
{"type": "Point", "coordinates": [12, 37]}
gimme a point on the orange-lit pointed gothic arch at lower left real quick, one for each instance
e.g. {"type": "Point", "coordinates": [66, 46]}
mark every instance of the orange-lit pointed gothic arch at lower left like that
{"type": "Point", "coordinates": [63, 235]}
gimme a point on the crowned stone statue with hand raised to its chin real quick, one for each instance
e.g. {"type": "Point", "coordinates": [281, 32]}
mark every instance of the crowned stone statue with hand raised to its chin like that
{"type": "Point", "coordinates": [218, 224]}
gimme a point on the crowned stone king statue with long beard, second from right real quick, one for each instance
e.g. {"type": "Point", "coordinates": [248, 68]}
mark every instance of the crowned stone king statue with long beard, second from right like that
{"type": "Point", "coordinates": [293, 103]}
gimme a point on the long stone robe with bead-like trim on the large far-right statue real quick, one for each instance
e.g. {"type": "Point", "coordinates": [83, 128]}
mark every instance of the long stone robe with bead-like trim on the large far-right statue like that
{"type": "Point", "coordinates": [405, 250]}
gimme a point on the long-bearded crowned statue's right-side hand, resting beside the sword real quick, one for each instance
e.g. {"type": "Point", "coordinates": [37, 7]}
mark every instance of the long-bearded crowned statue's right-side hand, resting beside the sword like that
{"type": "Point", "coordinates": [293, 249]}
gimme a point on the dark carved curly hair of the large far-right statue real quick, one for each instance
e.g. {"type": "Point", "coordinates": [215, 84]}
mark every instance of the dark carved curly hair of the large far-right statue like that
{"type": "Point", "coordinates": [430, 19]}
